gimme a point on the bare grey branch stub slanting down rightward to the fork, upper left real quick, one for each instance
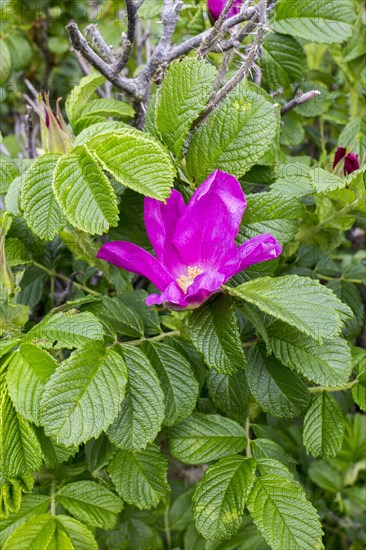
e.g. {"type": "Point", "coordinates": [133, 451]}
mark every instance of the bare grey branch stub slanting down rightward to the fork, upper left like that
{"type": "Point", "coordinates": [80, 44]}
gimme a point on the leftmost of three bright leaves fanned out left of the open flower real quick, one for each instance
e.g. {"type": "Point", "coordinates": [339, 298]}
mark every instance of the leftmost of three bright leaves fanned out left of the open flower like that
{"type": "Point", "coordinates": [41, 211]}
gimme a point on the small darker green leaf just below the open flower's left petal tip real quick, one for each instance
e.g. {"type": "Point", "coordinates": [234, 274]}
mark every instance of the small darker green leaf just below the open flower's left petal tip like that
{"type": "Point", "coordinates": [117, 318]}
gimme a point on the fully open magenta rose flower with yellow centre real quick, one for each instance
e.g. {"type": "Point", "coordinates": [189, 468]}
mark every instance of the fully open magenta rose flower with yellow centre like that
{"type": "Point", "coordinates": [194, 243]}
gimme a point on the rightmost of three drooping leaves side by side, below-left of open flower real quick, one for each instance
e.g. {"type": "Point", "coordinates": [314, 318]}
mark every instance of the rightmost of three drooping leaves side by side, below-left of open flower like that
{"type": "Point", "coordinates": [176, 379]}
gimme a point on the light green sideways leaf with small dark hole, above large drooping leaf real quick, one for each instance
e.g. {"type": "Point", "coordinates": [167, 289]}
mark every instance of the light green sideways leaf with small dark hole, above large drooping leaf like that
{"type": "Point", "coordinates": [68, 329]}
